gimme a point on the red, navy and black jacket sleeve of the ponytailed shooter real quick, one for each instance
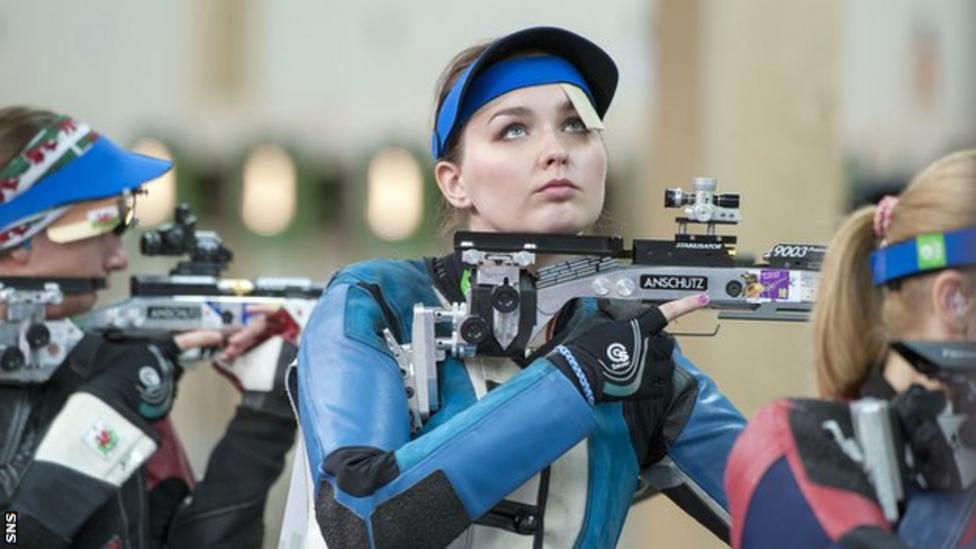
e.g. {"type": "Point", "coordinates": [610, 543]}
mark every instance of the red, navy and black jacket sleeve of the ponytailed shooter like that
{"type": "Point", "coordinates": [789, 485]}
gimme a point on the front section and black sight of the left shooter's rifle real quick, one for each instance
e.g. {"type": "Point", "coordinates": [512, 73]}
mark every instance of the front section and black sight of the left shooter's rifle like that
{"type": "Point", "coordinates": [193, 296]}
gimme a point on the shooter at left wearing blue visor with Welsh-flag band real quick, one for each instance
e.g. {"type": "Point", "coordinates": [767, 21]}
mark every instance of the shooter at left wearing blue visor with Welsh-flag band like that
{"type": "Point", "coordinates": [90, 456]}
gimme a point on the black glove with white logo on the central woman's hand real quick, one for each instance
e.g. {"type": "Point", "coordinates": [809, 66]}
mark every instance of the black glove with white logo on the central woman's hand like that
{"type": "Point", "coordinates": [619, 359]}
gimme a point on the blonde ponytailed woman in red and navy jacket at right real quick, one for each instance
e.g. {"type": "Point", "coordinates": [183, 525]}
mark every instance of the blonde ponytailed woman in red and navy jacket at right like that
{"type": "Point", "coordinates": [903, 270]}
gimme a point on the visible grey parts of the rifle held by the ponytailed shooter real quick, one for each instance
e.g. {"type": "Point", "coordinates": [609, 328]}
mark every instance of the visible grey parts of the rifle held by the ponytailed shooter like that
{"type": "Point", "coordinates": [878, 444]}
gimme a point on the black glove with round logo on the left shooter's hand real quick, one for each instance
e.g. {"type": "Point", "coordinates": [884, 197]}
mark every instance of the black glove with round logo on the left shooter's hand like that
{"type": "Point", "coordinates": [137, 377]}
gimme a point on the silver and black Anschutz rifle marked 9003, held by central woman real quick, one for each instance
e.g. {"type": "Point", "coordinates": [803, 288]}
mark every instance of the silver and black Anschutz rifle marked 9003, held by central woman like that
{"type": "Point", "coordinates": [508, 305]}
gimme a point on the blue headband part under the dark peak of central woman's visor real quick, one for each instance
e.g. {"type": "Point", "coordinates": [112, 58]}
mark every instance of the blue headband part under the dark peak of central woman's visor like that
{"type": "Point", "coordinates": [511, 74]}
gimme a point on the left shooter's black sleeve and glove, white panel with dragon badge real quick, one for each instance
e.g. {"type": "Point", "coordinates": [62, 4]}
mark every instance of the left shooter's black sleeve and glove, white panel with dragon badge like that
{"type": "Point", "coordinates": [94, 445]}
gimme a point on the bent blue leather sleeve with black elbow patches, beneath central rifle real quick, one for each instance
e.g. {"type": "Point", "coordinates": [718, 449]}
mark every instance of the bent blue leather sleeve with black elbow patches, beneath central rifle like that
{"type": "Point", "coordinates": [376, 486]}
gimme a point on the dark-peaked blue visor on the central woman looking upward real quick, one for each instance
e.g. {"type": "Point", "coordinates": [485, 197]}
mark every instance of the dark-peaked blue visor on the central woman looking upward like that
{"type": "Point", "coordinates": [594, 70]}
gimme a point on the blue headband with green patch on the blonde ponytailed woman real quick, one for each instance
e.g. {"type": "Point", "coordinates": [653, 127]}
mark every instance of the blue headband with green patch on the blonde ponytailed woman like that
{"type": "Point", "coordinates": [924, 253]}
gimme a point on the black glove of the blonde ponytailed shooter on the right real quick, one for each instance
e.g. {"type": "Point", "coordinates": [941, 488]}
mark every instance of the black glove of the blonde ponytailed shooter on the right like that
{"type": "Point", "coordinates": [917, 410]}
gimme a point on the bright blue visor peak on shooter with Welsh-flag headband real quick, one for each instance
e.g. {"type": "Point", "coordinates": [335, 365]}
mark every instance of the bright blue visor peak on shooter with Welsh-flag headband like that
{"type": "Point", "coordinates": [104, 170]}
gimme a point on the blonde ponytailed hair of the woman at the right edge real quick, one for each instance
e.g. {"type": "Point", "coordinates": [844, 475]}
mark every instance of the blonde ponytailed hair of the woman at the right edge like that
{"type": "Point", "coordinates": [853, 320]}
